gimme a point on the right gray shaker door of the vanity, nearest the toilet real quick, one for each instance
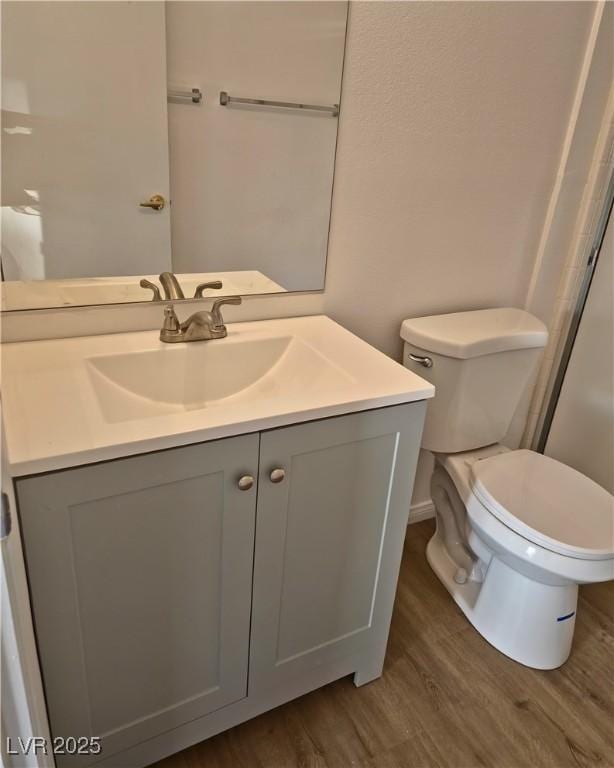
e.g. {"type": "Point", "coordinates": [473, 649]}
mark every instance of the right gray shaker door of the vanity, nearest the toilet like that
{"type": "Point", "coordinates": [329, 538]}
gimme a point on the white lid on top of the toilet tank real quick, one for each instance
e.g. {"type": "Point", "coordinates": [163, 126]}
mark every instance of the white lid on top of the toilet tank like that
{"type": "Point", "coordinates": [471, 334]}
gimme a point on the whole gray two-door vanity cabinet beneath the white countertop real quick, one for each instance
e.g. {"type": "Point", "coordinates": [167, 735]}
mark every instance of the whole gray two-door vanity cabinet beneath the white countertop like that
{"type": "Point", "coordinates": [146, 572]}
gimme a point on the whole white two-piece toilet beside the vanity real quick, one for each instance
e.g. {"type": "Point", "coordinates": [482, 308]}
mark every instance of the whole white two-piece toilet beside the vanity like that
{"type": "Point", "coordinates": [516, 531]}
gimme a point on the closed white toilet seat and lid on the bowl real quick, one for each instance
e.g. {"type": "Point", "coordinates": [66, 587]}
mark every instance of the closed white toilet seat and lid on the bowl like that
{"type": "Point", "coordinates": [547, 503]}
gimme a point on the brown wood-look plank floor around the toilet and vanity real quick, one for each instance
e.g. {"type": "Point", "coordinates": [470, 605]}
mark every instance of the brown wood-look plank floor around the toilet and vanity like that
{"type": "Point", "coordinates": [447, 698]}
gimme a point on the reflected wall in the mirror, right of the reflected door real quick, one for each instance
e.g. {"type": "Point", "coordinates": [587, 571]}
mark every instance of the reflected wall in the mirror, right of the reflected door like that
{"type": "Point", "coordinates": [253, 185]}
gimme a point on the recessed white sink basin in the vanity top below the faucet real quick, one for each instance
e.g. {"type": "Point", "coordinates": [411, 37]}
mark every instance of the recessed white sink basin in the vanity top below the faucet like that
{"type": "Point", "coordinates": [191, 376]}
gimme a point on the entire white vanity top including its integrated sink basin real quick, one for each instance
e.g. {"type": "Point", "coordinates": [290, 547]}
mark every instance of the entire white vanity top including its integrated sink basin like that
{"type": "Point", "coordinates": [75, 401]}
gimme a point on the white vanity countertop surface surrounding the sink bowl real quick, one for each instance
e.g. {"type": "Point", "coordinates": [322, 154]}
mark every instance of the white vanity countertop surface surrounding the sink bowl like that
{"type": "Point", "coordinates": [54, 419]}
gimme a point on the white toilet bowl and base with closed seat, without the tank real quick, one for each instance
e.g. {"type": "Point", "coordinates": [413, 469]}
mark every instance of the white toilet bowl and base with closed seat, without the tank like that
{"type": "Point", "coordinates": [518, 582]}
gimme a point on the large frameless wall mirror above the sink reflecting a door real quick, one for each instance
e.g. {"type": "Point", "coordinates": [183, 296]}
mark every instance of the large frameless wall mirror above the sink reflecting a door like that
{"type": "Point", "coordinates": [139, 138]}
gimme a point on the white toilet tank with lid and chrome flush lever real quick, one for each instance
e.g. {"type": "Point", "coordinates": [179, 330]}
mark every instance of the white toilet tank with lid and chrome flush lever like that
{"type": "Point", "coordinates": [480, 364]}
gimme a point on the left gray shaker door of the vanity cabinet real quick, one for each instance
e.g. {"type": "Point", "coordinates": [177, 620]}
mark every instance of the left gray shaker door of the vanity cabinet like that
{"type": "Point", "coordinates": [140, 572]}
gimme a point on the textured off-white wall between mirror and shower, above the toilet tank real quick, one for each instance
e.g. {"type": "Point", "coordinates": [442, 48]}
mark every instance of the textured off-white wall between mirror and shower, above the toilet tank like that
{"type": "Point", "coordinates": [452, 122]}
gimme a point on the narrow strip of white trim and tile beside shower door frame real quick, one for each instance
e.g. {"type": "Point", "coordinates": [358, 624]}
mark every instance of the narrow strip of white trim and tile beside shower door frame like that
{"type": "Point", "coordinates": [577, 200]}
